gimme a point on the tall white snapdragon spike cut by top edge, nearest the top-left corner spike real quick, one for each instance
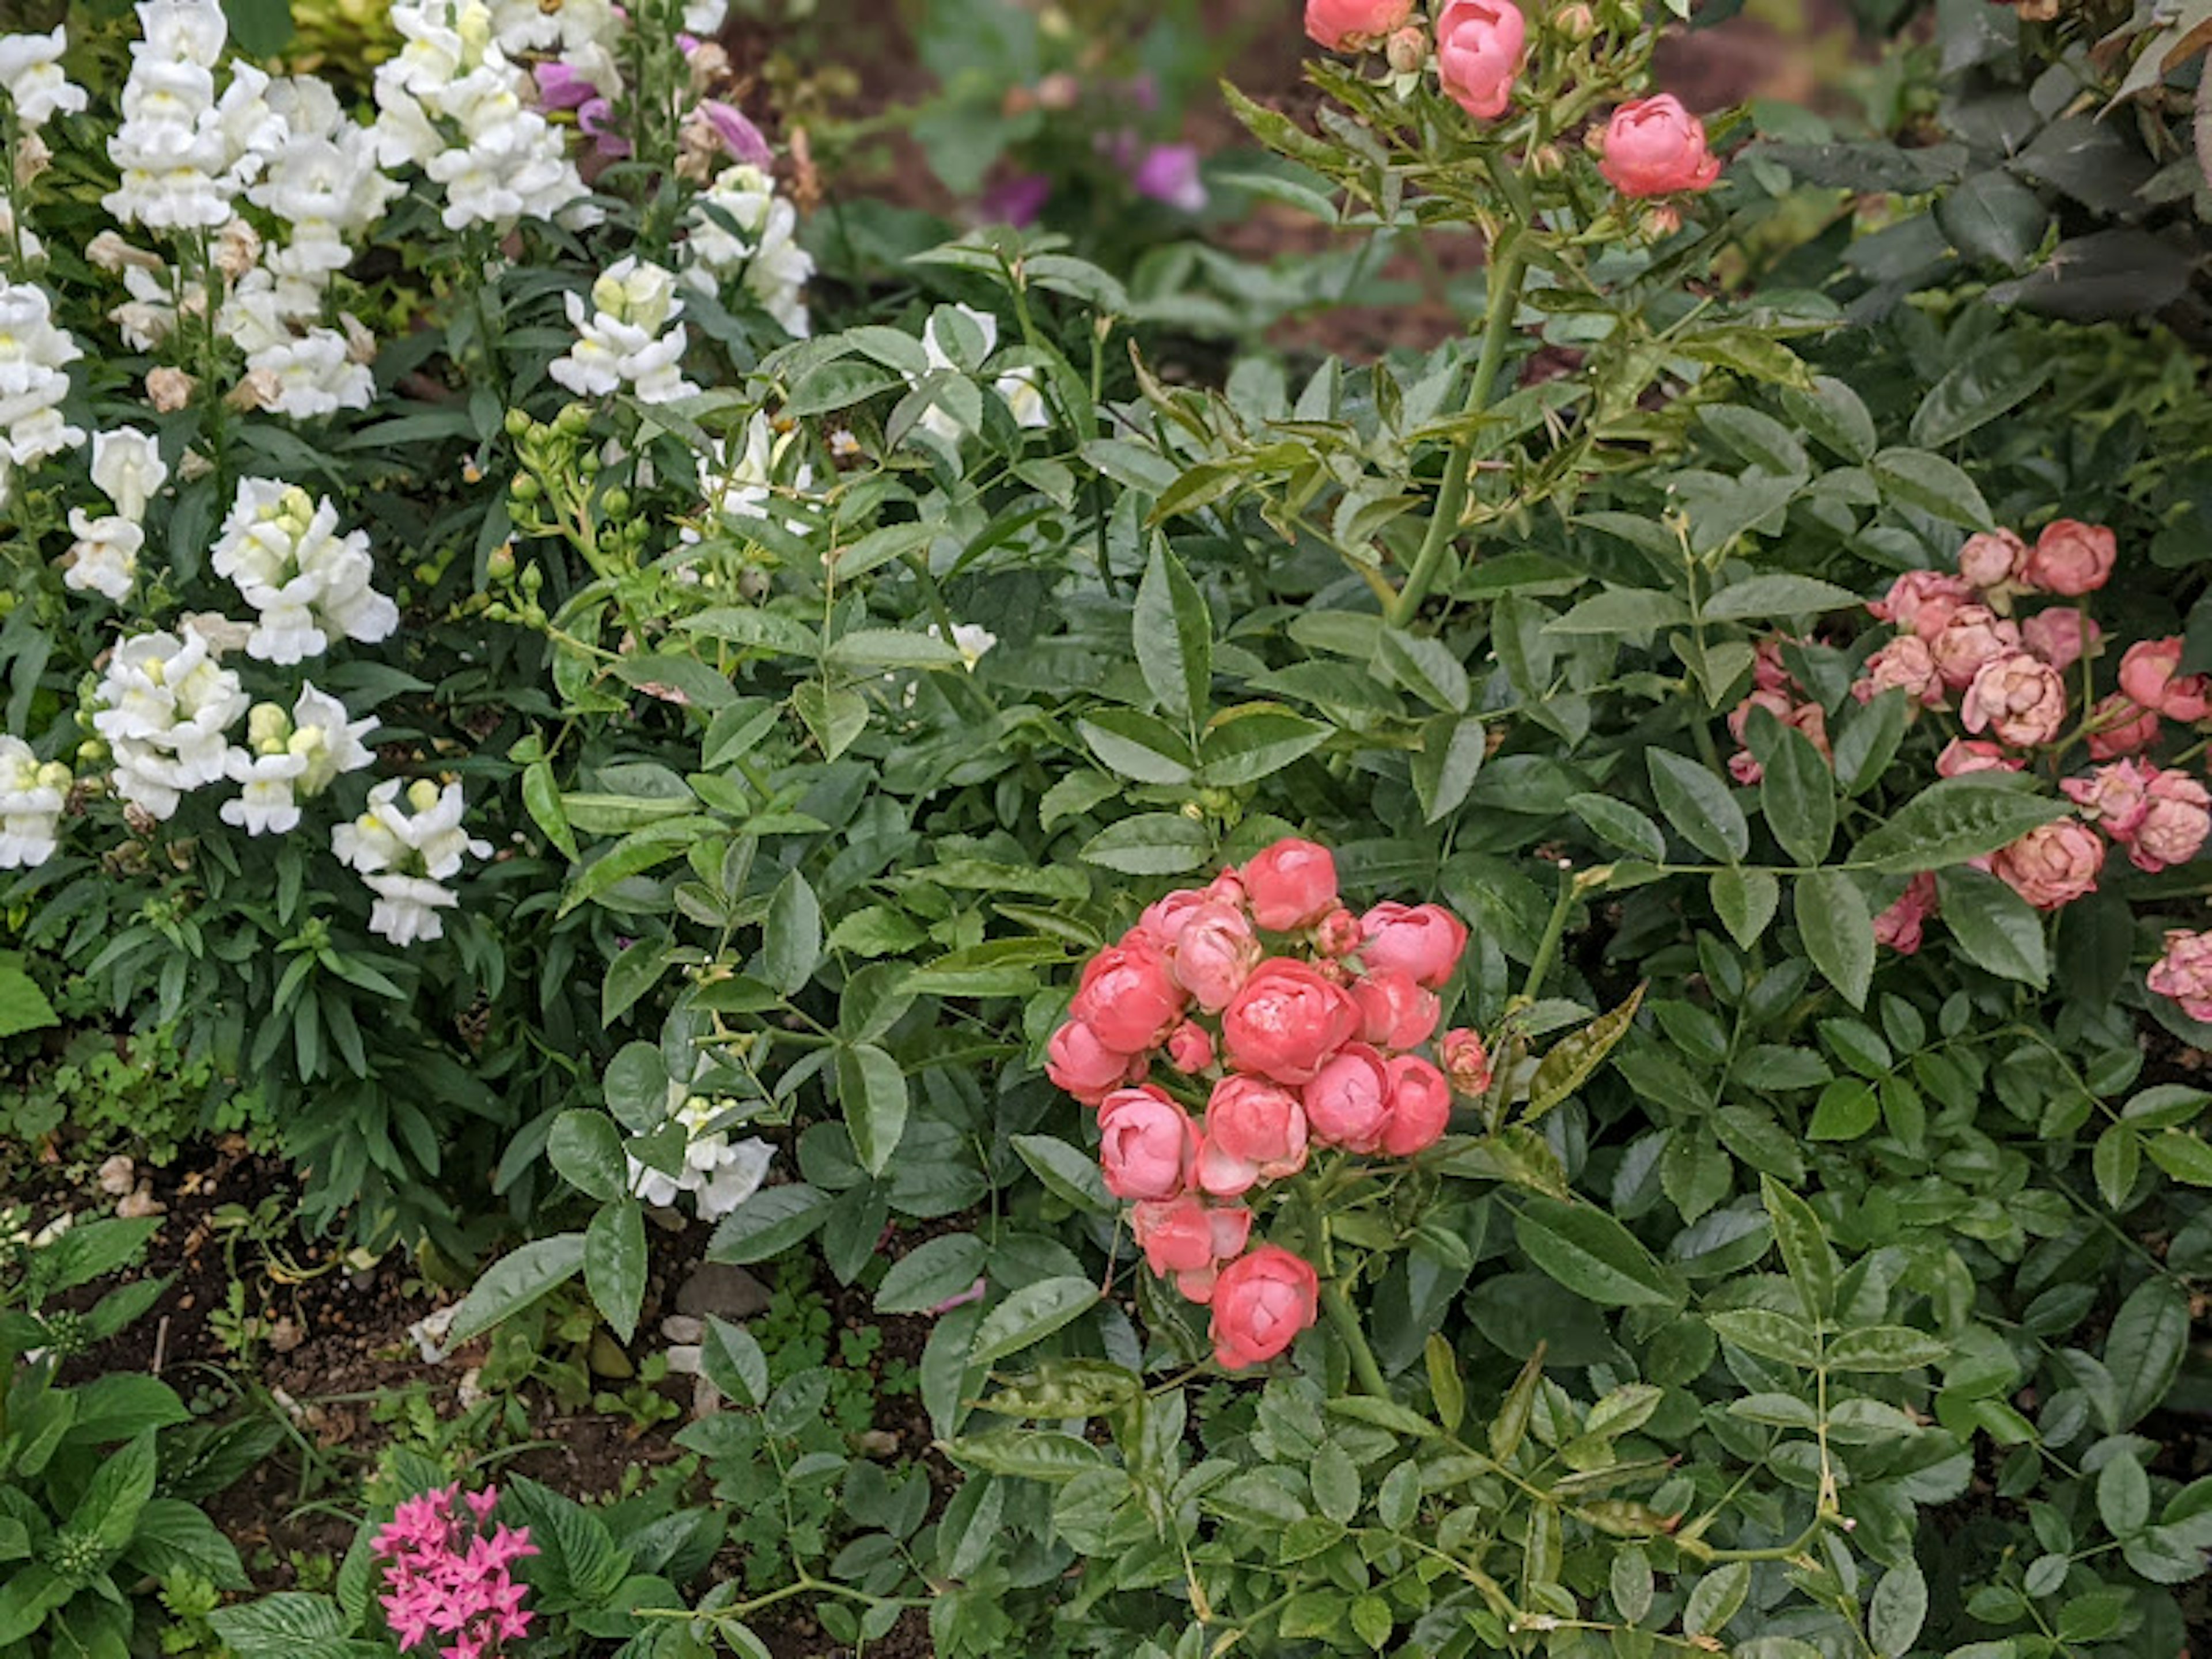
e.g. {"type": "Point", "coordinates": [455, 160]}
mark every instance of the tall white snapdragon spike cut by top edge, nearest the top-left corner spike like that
{"type": "Point", "coordinates": [182, 149]}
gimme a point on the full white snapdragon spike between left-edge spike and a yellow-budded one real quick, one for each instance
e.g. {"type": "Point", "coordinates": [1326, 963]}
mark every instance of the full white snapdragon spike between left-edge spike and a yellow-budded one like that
{"type": "Point", "coordinates": [167, 709]}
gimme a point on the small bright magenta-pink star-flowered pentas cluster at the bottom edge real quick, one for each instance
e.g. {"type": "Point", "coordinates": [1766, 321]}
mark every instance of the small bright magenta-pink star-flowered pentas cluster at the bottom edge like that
{"type": "Point", "coordinates": [450, 1574]}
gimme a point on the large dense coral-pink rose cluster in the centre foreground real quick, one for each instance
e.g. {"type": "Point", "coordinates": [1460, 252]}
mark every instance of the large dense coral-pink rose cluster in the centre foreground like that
{"type": "Point", "coordinates": [1297, 1023]}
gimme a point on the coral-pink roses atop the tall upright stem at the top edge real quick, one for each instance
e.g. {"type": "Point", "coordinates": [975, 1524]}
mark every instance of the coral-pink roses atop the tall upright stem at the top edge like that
{"type": "Point", "coordinates": [1651, 147]}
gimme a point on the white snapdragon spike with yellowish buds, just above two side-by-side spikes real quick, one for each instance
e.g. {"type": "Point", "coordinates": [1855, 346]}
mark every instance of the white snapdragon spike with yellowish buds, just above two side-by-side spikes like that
{"type": "Point", "coordinates": [284, 554]}
